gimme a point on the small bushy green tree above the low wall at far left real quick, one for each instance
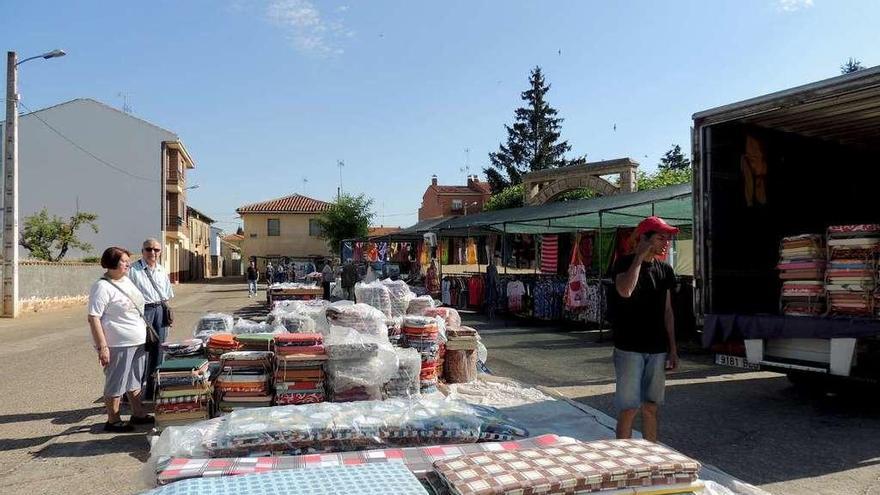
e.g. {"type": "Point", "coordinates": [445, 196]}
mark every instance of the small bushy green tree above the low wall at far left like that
{"type": "Point", "coordinates": [43, 235]}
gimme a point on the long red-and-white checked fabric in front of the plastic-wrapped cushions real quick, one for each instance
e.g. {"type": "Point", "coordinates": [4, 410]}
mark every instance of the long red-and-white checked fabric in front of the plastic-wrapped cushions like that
{"type": "Point", "coordinates": [419, 460]}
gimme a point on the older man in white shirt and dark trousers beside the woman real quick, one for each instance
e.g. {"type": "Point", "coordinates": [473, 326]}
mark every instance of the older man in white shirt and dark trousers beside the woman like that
{"type": "Point", "coordinates": [152, 280]}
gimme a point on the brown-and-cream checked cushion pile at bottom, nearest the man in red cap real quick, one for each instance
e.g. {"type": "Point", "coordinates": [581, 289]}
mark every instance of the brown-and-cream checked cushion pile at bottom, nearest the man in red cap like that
{"type": "Point", "coordinates": [572, 468]}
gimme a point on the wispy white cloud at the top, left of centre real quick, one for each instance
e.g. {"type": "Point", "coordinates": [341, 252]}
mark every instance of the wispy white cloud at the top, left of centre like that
{"type": "Point", "coordinates": [310, 32]}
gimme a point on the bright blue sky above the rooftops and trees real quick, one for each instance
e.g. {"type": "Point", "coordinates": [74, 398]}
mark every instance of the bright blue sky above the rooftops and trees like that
{"type": "Point", "coordinates": [265, 93]}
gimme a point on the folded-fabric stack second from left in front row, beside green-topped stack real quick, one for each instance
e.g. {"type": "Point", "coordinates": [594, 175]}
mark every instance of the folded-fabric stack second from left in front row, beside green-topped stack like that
{"type": "Point", "coordinates": [244, 380]}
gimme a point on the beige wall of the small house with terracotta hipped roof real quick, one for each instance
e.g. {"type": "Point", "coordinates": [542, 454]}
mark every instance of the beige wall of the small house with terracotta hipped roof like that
{"type": "Point", "coordinates": [294, 240]}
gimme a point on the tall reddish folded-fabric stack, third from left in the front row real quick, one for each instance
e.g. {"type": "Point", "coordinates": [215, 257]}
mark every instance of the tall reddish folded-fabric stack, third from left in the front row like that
{"type": "Point", "coordinates": [299, 368]}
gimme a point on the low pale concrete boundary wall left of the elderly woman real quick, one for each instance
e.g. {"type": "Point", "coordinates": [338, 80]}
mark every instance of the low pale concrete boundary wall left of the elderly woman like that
{"type": "Point", "coordinates": [45, 284]}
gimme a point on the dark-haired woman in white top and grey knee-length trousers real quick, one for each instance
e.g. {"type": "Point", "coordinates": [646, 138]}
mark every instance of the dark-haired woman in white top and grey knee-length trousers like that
{"type": "Point", "coordinates": [119, 333]}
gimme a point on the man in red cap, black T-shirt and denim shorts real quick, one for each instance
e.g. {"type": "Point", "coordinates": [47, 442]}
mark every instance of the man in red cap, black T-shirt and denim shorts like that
{"type": "Point", "coordinates": [644, 329]}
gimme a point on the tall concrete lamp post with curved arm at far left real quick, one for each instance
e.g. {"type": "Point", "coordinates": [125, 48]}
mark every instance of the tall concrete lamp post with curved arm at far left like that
{"type": "Point", "coordinates": [10, 183]}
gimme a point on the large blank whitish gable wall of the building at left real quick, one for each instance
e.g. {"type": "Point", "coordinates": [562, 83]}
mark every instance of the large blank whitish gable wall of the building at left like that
{"type": "Point", "coordinates": [55, 174]}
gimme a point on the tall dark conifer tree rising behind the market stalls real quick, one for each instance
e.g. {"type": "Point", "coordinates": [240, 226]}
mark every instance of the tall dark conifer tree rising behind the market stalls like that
{"type": "Point", "coordinates": [532, 141]}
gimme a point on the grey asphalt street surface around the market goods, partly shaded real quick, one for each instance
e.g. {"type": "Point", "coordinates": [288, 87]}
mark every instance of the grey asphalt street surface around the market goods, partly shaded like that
{"type": "Point", "coordinates": [754, 425]}
